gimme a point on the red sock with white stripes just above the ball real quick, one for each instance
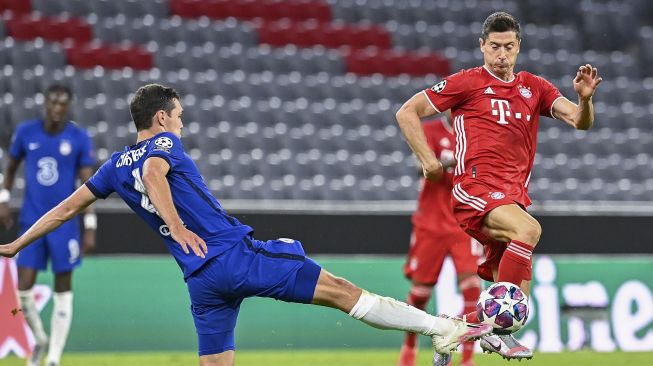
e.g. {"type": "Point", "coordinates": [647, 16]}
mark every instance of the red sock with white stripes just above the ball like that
{"type": "Point", "coordinates": [516, 263]}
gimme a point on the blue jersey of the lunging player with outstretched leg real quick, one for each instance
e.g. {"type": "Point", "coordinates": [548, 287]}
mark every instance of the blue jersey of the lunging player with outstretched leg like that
{"type": "Point", "coordinates": [198, 209]}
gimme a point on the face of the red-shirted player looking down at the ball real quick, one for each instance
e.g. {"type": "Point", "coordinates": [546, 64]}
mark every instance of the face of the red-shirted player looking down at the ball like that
{"type": "Point", "coordinates": [500, 51]}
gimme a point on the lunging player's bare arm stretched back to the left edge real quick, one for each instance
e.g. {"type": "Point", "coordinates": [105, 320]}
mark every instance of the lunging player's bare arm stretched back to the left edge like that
{"type": "Point", "coordinates": [54, 218]}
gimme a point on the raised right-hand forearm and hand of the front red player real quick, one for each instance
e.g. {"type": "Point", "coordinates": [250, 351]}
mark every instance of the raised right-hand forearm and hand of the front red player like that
{"type": "Point", "coordinates": [581, 115]}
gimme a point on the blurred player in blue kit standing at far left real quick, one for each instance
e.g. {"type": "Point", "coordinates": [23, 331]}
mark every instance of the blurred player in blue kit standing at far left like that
{"type": "Point", "coordinates": [56, 152]}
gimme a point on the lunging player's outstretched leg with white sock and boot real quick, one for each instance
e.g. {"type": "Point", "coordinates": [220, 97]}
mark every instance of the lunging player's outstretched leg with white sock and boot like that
{"type": "Point", "coordinates": [388, 313]}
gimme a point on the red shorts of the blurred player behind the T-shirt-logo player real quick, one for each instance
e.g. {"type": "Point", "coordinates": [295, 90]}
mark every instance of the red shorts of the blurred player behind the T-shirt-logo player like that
{"type": "Point", "coordinates": [428, 251]}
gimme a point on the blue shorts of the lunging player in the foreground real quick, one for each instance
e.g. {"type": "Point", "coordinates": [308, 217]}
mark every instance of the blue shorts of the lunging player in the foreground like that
{"type": "Point", "coordinates": [278, 269]}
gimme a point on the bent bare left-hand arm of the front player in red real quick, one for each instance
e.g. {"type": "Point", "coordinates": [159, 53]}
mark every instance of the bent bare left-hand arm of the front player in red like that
{"type": "Point", "coordinates": [409, 118]}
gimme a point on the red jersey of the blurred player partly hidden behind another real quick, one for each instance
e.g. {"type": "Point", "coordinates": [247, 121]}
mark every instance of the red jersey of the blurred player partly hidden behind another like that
{"type": "Point", "coordinates": [434, 209]}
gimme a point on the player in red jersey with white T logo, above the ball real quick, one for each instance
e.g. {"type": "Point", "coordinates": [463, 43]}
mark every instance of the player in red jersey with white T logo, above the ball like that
{"type": "Point", "coordinates": [496, 113]}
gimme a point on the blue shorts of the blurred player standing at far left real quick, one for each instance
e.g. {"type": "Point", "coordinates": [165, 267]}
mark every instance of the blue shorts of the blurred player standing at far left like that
{"type": "Point", "coordinates": [62, 246]}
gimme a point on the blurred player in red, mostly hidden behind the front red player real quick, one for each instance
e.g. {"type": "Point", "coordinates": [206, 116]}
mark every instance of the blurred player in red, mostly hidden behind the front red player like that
{"type": "Point", "coordinates": [435, 235]}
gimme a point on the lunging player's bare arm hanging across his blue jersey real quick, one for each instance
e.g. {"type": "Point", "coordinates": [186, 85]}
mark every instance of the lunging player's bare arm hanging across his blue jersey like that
{"type": "Point", "coordinates": [155, 170]}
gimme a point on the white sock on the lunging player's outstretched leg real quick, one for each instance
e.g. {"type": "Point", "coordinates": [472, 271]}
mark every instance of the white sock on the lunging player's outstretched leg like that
{"type": "Point", "coordinates": [388, 313]}
